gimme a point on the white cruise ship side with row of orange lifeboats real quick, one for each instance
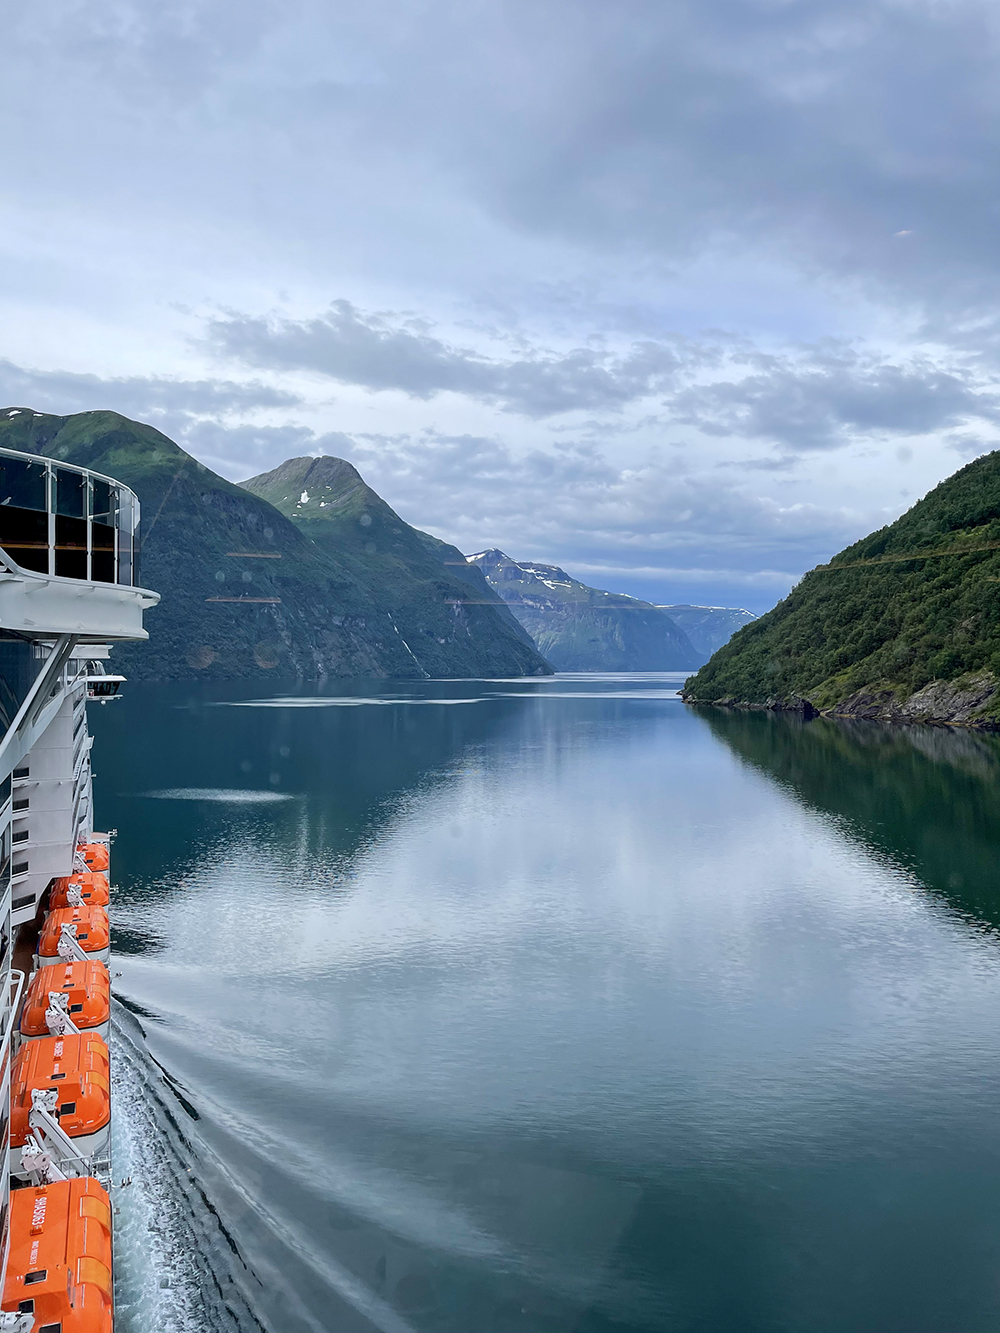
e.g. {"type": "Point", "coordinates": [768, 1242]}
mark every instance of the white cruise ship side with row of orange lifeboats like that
{"type": "Point", "coordinates": [69, 593]}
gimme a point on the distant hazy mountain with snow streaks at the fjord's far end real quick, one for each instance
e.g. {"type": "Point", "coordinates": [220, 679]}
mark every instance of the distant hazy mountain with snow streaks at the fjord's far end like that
{"type": "Point", "coordinates": [581, 629]}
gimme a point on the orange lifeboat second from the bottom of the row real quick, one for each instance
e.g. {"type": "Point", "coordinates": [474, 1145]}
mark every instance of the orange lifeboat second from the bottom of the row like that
{"type": "Point", "coordinates": [78, 1068]}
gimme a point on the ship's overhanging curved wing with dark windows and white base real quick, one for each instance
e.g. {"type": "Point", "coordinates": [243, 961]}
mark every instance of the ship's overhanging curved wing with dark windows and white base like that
{"type": "Point", "coordinates": [69, 553]}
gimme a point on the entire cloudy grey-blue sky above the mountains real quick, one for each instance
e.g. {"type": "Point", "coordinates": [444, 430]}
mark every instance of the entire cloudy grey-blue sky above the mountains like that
{"type": "Point", "coordinates": [683, 295]}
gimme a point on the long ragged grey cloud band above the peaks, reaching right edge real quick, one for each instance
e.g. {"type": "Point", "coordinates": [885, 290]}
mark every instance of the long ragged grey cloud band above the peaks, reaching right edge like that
{"type": "Point", "coordinates": [817, 399]}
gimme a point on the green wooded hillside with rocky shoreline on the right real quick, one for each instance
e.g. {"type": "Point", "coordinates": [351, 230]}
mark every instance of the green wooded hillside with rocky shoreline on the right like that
{"type": "Point", "coordinates": [903, 625]}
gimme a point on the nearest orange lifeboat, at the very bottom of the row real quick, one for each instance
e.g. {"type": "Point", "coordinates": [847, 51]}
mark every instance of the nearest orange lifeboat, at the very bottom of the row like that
{"type": "Point", "coordinates": [59, 1267]}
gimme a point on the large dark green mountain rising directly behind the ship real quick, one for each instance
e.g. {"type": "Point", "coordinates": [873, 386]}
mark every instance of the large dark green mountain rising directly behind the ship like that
{"type": "Point", "coordinates": [245, 591]}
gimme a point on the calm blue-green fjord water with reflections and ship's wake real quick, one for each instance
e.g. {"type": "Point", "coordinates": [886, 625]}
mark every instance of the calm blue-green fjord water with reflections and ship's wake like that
{"type": "Point", "coordinates": [550, 1006]}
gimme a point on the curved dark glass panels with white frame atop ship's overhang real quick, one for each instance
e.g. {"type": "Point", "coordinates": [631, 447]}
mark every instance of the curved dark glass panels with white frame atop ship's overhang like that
{"type": "Point", "coordinates": [67, 522]}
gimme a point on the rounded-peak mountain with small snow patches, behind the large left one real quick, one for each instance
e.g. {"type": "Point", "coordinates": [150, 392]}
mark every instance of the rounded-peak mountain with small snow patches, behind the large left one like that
{"type": "Point", "coordinates": [447, 629]}
